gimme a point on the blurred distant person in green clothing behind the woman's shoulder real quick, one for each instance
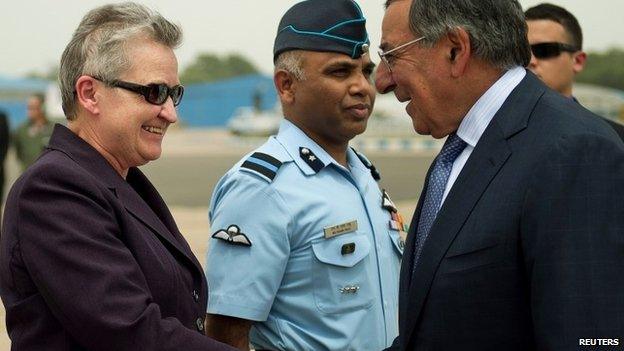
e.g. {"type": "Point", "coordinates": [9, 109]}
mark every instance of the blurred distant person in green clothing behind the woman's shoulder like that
{"type": "Point", "coordinates": [31, 137]}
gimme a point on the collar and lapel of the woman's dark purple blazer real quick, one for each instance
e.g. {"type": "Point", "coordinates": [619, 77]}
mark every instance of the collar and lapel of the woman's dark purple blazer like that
{"type": "Point", "coordinates": [135, 194]}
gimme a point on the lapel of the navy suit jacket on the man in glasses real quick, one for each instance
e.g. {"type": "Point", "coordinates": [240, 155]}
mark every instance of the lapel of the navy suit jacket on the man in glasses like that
{"type": "Point", "coordinates": [489, 155]}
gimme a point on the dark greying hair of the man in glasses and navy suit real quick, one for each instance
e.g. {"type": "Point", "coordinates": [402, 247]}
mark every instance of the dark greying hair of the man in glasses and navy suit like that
{"type": "Point", "coordinates": [497, 29]}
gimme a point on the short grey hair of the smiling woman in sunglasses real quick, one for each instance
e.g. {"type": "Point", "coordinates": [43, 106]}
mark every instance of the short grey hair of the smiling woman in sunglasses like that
{"type": "Point", "coordinates": [98, 46]}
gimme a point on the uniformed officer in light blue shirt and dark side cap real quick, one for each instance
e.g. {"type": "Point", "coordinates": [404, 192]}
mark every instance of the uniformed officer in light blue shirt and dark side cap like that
{"type": "Point", "coordinates": [306, 248]}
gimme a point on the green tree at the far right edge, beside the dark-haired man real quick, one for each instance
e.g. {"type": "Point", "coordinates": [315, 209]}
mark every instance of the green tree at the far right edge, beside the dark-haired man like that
{"type": "Point", "coordinates": [604, 68]}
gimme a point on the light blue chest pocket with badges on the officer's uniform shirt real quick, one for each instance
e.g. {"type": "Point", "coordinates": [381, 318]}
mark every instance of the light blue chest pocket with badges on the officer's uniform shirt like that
{"type": "Point", "coordinates": [341, 273]}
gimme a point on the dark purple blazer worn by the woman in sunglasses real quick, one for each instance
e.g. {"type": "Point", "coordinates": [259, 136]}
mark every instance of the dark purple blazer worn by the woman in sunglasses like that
{"type": "Point", "coordinates": [90, 261]}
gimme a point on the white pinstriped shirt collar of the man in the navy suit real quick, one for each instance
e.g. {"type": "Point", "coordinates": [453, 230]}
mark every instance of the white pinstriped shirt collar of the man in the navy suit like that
{"type": "Point", "coordinates": [480, 115]}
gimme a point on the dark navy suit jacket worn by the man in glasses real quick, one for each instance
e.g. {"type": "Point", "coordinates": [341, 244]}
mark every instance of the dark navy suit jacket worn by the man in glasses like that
{"type": "Point", "coordinates": [527, 251]}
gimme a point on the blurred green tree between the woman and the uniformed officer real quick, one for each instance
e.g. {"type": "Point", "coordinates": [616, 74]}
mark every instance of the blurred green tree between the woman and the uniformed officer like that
{"type": "Point", "coordinates": [209, 67]}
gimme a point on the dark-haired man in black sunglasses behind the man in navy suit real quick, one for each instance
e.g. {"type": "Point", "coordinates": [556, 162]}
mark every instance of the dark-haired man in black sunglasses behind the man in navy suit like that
{"type": "Point", "coordinates": [557, 49]}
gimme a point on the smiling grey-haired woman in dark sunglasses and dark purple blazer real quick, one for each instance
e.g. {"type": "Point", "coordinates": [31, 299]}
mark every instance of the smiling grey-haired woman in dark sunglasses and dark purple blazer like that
{"type": "Point", "coordinates": [91, 258]}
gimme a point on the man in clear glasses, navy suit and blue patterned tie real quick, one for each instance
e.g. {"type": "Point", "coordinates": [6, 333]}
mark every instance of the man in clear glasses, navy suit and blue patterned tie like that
{"type": "Point", "coordinates": [517, 242]}
